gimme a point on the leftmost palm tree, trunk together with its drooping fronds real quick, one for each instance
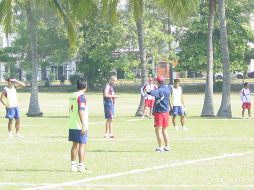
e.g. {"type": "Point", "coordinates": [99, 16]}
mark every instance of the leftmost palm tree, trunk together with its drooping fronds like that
{"type": "Point", "coordinates": [6, 16]}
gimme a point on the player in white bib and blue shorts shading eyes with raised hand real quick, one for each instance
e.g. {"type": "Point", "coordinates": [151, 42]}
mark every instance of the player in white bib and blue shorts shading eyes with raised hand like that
{"type": "Point", "coordinates": [9, 100]}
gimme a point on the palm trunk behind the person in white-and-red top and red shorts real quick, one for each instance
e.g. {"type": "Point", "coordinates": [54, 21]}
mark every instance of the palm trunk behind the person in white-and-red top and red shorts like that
{"type": "Point", "coordinates": [140, 31]}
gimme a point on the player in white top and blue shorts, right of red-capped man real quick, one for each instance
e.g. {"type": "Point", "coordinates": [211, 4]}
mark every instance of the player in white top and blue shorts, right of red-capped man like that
{"type": "Point", "coordinates": [178, 104]}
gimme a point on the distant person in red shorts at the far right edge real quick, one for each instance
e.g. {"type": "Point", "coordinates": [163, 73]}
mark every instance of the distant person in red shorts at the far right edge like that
{"type": "Point", "coordinates": [246, 99]}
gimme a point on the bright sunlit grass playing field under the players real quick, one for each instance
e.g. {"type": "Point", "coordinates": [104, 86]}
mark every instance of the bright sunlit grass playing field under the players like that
{"type": "Point", "coordinates": [214, 154]}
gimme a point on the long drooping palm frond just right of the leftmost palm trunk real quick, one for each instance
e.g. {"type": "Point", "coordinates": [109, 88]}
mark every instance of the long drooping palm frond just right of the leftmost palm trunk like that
{"type": "Point", "coordinates": [68, 24]}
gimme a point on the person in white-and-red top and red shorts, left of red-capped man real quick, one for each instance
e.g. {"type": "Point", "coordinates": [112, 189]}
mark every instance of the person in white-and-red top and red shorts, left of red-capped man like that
{"type": "Point", "coordinates": [149, 100]}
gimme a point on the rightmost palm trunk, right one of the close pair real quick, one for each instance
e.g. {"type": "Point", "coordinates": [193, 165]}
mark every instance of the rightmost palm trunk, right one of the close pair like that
{"type": "Point", "coordinates": [225, 107]}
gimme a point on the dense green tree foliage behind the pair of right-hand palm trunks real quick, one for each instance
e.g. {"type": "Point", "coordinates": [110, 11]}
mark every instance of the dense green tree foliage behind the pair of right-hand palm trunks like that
{"type": "Point", "coordinates": [194, 41]}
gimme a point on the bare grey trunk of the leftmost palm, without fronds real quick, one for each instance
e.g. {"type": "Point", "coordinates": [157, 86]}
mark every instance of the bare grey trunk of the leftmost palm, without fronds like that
{"type": "Point", "coordinates": [34, 108]}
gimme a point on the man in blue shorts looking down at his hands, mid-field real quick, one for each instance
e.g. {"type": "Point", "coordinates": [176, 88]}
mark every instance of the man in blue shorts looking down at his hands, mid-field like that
{"type": "Point", "coordinates": [109, 106]}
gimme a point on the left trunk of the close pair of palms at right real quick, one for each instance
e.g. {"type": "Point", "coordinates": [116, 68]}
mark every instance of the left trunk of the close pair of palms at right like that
{"type": "Point", "coordinates": [208, 102]}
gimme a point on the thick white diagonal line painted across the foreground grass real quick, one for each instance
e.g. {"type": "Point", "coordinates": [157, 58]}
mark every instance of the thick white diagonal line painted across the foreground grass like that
{"type": "Point", "coordinates": [101, 177]}
